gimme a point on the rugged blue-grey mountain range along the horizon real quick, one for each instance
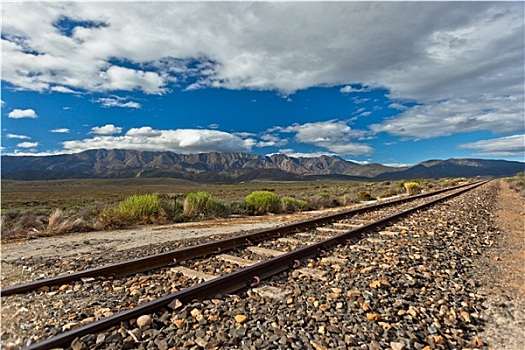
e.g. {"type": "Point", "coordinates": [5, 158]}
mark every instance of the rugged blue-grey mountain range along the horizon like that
{"type": "Point", "coordinates": [235, 167]}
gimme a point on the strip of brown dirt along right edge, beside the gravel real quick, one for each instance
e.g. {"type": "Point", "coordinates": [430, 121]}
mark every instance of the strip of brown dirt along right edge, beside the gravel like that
{"type": "Point", "coordinates": [503, 275]}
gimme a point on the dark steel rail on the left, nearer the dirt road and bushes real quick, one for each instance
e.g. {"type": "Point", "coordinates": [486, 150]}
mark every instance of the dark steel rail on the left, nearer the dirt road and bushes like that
{"type": "Point", "coordinates": [129, 267]}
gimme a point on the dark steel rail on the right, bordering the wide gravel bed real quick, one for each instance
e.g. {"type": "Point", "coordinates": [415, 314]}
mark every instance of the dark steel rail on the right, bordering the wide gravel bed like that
{"type": "Point", "coordinates": [234, 281]}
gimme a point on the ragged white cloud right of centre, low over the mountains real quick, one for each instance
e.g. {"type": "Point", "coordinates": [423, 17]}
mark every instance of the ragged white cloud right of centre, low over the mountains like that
{"type": "Point", "coordinates": [335, 136]}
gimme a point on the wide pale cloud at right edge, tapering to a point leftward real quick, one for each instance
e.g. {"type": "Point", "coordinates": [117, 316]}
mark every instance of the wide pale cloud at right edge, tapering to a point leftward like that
{"type": "Point", "coordinates": [501, 115]}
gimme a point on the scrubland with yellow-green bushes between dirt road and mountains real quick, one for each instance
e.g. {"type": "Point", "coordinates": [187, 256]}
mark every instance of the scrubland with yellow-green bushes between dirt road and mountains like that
{"type": "Point", "coordinates": [37, 208]}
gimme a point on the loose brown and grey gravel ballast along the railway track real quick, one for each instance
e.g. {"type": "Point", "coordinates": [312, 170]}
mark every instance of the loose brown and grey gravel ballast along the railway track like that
{"type": "Point", "coordinates": [417, 284]}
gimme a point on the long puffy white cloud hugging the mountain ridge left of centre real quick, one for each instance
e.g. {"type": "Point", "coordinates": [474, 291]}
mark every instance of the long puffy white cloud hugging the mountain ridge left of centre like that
{"type": "Point", "coordinates": [179, 141]}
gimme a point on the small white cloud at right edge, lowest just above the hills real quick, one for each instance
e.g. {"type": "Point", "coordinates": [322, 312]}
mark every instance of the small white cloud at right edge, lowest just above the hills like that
{"type": "Point", "coordinates": [513, 146]}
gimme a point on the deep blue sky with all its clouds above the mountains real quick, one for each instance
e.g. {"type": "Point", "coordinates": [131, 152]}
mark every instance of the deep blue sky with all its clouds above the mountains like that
{"type": "Point", "coordinates": [374, 82]}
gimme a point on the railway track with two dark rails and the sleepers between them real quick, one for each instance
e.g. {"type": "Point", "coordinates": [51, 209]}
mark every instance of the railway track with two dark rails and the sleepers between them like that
{"type": "Point", "coordinates": [244, 259]}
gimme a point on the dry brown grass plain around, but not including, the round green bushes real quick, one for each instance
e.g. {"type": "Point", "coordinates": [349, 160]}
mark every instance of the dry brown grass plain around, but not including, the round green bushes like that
{"type": "Point", "coordinates": [61, 206]}
